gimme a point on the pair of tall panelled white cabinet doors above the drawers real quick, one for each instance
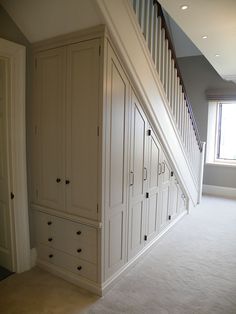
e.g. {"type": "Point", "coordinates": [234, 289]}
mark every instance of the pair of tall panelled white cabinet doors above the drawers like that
{"type": "Point", "coordinates": [65, 129]}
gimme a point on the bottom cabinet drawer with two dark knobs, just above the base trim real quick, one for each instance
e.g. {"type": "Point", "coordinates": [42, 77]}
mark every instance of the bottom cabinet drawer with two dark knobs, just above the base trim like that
{"type": "Point", "coordinates": [70, 263]}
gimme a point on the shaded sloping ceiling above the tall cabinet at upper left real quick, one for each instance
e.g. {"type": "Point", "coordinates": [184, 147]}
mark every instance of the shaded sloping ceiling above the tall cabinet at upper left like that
{"type": "Point", "coordinates": [42, 19]}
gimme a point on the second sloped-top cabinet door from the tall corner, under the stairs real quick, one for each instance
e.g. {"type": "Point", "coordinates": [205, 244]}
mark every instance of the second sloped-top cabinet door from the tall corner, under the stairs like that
{"type": "Point", "coordinates": [138, 178]}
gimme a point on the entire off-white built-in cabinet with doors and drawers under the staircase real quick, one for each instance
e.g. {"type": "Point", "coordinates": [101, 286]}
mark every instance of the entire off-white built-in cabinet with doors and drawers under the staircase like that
{"type": "Point", "coordinates": [102, 188]}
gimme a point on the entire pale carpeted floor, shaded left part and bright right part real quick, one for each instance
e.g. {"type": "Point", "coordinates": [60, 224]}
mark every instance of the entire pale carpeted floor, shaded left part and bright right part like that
{"type": "Point", "coordinates": [191, 271]}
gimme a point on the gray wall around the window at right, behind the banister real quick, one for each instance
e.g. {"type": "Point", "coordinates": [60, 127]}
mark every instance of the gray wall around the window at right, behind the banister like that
{"type": "Point", "coordinates": [198, 76]}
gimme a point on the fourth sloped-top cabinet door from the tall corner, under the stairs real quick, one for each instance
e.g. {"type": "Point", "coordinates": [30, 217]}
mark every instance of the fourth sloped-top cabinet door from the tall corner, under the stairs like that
{"type": "Point", "coordinates": [164, 193]}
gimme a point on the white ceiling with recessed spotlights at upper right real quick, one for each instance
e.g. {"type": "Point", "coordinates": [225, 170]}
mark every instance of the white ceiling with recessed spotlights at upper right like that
{"type": "Point", "coordinates": [217, 20]}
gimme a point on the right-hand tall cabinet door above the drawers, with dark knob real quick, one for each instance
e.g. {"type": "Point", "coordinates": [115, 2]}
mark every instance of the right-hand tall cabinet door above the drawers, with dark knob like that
{"type": "Point", "coordinates": [82, 128]}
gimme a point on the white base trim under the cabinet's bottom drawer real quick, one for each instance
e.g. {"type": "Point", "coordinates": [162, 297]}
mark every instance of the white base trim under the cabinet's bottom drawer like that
{"type": "Point", "coordinates": [66, 275]}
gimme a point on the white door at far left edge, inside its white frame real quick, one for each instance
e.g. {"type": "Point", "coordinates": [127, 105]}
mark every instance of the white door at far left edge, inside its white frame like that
{"type": "Point", "coordinates": [5, 217]}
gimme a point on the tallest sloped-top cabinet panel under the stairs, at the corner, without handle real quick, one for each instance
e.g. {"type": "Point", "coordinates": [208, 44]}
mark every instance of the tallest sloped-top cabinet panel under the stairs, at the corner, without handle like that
{"type": "Point", "coordinates": [116, 138]}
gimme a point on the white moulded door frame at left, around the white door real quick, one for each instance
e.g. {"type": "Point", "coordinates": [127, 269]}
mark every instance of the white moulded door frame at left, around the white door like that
{"type": "Point", "coordinates": [19, 224]}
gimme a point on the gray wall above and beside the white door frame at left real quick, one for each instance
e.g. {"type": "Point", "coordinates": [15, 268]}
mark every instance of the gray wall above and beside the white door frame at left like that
{"type": "Point", "coordinates": [10, 31]}
